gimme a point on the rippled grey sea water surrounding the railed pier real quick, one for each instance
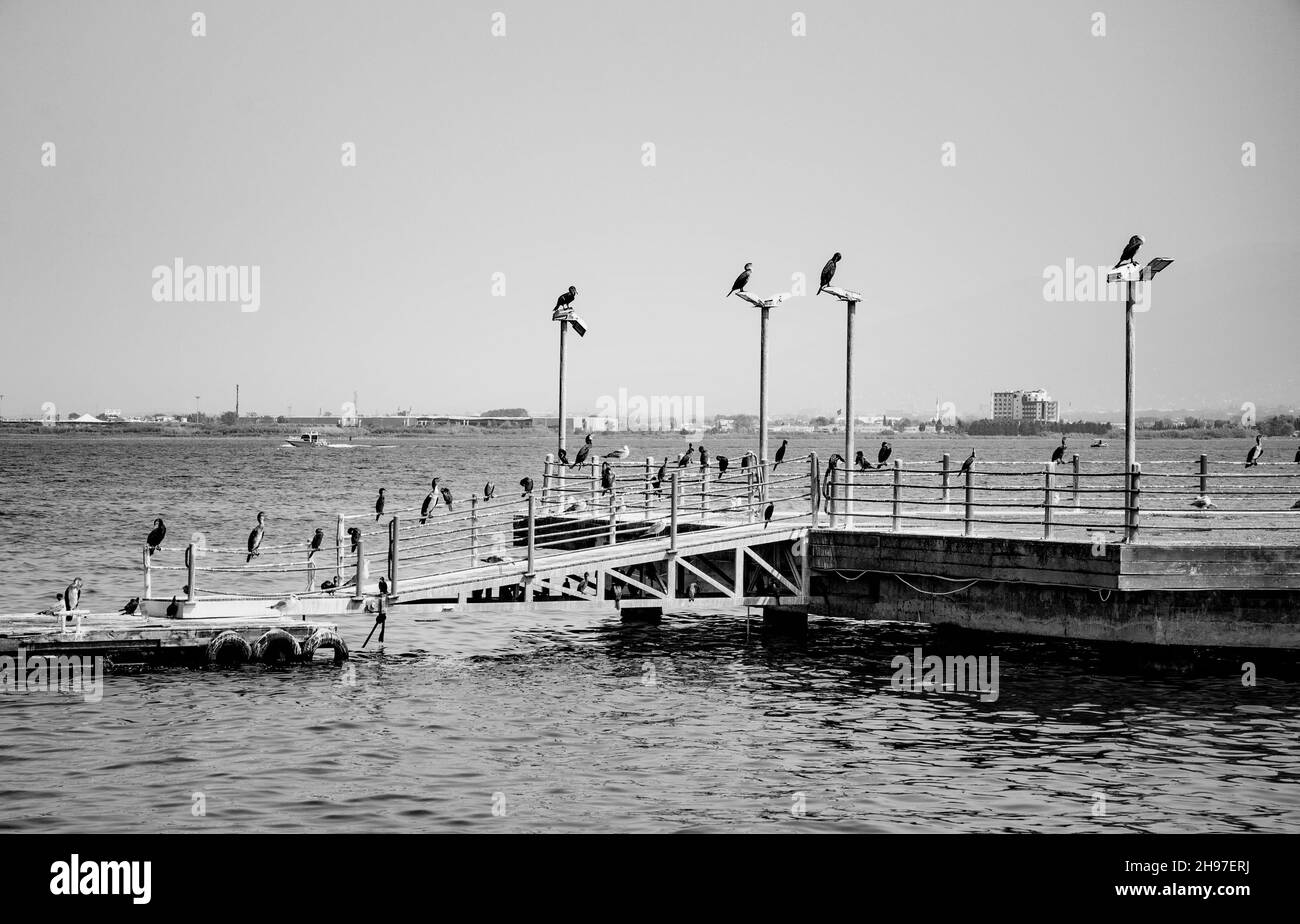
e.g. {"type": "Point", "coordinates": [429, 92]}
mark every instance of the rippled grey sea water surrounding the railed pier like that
{"type": "Point", "coordinates": [579, 725]}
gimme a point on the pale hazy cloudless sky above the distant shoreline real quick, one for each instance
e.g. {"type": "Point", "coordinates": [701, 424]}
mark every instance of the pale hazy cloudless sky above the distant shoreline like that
{"type": "Point", "coordinates": [523, 155]}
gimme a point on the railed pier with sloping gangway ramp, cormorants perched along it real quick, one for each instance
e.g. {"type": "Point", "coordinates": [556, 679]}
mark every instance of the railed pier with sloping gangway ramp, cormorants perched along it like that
{"type": "Point", "coordinates": [1177, 553]}
